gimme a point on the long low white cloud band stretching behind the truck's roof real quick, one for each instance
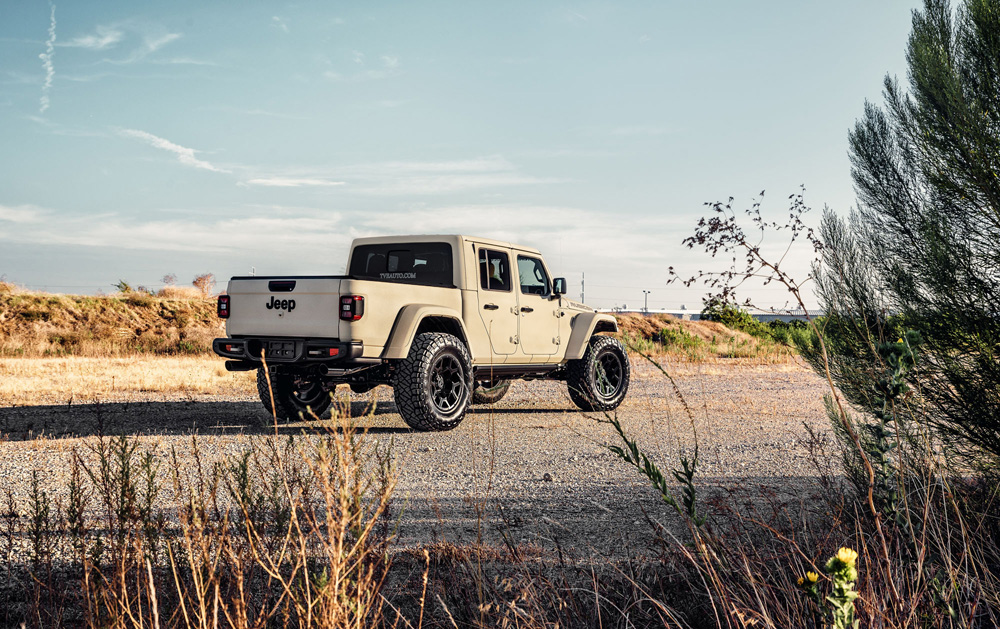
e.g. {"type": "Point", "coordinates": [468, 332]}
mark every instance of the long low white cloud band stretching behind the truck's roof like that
{"type": "Point", "coordinates": [570, 237]}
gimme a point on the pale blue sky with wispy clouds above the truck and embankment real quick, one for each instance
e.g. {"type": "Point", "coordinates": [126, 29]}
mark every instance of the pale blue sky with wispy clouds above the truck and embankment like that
{"type": "Point", "coordinates": [144, 139]}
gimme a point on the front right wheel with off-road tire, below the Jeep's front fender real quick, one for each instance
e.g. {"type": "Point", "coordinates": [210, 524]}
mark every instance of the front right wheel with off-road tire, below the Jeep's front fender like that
{"type": "Point", "coordinates": [599, 380]}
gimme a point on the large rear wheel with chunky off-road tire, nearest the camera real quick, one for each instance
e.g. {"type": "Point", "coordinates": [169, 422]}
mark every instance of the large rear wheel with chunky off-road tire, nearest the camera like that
{"type": "Point", "coordinates": [433, 384]}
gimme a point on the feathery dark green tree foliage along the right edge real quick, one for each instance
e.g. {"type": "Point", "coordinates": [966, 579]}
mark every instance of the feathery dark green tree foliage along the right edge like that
{"type": "Point", "coordinates": [920, 252]}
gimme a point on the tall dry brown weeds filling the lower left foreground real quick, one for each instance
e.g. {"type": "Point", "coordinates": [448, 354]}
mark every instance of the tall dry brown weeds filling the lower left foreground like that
{"type": "Point", "coordinates": [283, 534]}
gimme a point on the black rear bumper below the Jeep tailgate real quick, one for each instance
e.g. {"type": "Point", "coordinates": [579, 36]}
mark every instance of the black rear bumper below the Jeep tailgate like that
{"type": "Point", "coordinates": [287, 350]}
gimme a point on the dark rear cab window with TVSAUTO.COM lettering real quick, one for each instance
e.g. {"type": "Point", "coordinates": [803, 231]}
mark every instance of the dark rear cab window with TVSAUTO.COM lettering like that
{"type": "Point", "coordinates": [425, 263]}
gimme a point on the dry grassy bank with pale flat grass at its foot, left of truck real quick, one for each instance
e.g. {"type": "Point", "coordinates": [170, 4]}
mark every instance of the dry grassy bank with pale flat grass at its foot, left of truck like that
{"type": "Point", "coordinates": [56, 348]}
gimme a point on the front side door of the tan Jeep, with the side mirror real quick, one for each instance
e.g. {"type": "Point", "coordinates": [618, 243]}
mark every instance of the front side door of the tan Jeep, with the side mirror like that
{"type": "Point", "coordinates": [539, 327]}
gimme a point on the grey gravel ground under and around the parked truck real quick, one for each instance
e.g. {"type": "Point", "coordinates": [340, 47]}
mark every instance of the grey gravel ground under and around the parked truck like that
{"type": "Point", "coordinates": [537, 464]}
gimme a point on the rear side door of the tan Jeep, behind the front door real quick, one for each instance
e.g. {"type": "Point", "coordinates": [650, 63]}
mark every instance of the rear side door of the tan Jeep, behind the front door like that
{"type": "Point", "coordinates": [497, 300]}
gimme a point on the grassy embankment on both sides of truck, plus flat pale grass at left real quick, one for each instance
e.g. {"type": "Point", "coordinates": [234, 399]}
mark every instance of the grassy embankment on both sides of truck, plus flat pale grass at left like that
{"type": "Point", "coordinates": [55, 348]}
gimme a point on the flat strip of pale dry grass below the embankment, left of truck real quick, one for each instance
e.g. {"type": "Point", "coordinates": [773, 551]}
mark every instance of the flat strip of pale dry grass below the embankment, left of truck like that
{"type": "Point", "coordinates": [25, 381]}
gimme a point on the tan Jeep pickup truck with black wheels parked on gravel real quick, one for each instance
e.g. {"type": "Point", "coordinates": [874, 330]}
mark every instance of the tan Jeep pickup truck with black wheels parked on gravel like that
{"type": "Point", "coordinates": [446, 321]}
